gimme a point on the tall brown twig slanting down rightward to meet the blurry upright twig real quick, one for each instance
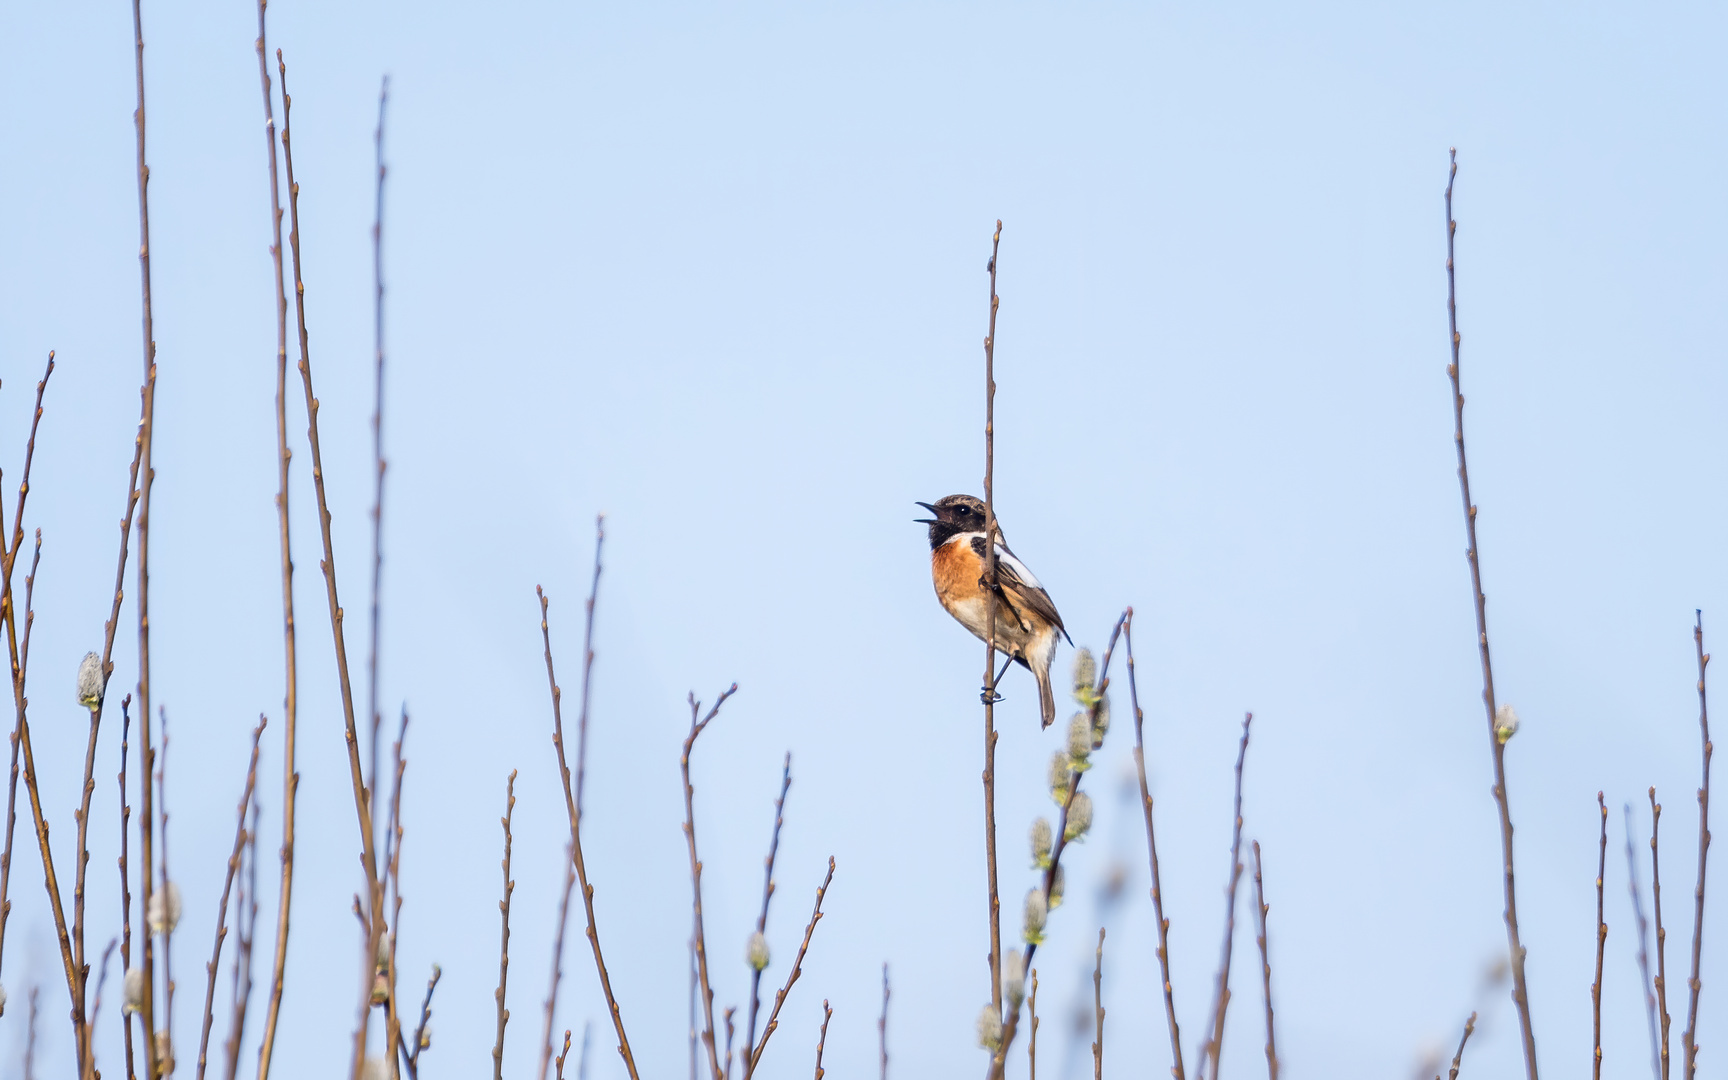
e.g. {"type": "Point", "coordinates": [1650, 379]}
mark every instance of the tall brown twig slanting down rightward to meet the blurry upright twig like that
{"type": "Point", "coordinates": [362, 796]}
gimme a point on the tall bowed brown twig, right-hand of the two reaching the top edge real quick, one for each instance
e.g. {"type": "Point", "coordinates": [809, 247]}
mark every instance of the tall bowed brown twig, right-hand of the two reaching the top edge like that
{"type": "Point", "coordinates": [289, 654]}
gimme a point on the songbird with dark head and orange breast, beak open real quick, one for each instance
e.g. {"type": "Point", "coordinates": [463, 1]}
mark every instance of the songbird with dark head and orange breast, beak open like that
{"type": "Point", "coordinates": [1027, 625]}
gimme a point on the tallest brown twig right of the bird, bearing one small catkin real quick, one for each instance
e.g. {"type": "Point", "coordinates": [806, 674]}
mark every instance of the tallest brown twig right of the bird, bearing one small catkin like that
{"type": "Point", "coordinates": [1497, 747]}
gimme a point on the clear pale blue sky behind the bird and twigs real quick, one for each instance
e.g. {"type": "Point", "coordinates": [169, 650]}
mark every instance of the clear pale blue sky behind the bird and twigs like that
{"type": "Point", "coordinates": [720, 274]}
